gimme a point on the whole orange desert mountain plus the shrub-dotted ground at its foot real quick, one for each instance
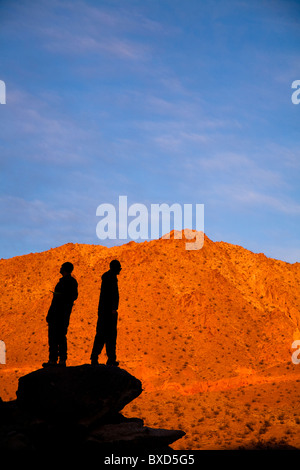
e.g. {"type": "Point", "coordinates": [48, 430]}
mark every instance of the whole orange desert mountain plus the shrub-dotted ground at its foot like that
{"type": "Point", "coordinates": [208, 340]}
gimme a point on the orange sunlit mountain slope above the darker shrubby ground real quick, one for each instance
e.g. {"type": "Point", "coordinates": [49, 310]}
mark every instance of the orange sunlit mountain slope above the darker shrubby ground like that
{"type": "Point", "coordinates": [189, 321]}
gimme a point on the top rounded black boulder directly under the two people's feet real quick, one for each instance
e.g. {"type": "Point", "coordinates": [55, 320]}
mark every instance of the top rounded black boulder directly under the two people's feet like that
{"type": "Point", "coordinates": [79, 392]}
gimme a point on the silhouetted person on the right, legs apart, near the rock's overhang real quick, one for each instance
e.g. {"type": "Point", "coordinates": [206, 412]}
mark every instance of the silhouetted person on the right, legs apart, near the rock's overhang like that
{"type": "Point", "coordinates": [106, 332]}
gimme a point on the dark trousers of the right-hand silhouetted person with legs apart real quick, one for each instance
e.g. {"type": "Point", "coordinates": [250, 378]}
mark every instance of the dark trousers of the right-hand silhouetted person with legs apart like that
{"type": "Point", "coordinates": [106, 334]}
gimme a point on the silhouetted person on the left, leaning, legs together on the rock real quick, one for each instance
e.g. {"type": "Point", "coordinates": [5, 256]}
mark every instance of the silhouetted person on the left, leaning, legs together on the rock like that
{"type": "Point", "coordinates": [64, 295]}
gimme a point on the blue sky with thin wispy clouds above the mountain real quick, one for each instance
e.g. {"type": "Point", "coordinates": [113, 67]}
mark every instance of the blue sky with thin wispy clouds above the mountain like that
{"type": "Point", "coordinates": [164, 101]}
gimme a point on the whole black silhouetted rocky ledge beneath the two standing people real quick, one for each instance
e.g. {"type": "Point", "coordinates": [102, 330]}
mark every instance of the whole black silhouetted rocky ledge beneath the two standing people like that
{"type": "Point", "coordinates": [78, 408]}
